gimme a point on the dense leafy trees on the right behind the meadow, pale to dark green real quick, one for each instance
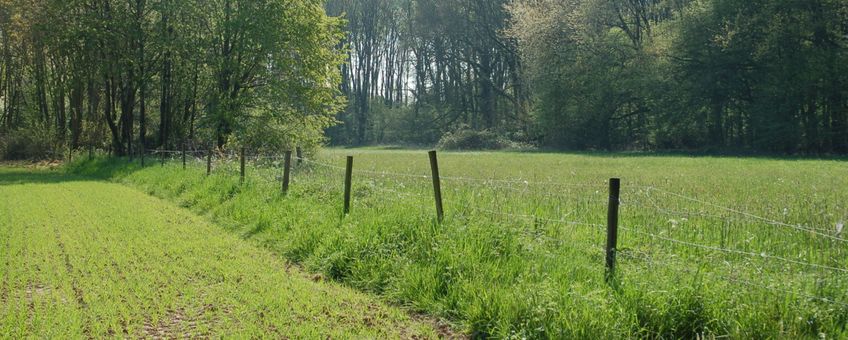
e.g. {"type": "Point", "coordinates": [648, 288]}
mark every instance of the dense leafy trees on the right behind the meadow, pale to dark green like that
{"type": "Point", "coordinates": [720, 74]}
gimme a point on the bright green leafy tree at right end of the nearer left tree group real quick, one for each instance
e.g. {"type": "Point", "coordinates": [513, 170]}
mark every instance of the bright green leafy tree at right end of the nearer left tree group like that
{"type": "Point", "coordinates": [278, 83]}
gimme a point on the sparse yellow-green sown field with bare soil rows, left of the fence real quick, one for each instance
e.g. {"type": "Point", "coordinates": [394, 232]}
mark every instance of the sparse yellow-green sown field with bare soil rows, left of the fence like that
{"type": "Point", "coordinates": [86, 259]}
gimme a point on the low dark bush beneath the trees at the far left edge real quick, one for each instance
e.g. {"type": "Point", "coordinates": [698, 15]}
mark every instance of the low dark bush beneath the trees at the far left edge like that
{"type": "Point", "coordinates": [27, 144]}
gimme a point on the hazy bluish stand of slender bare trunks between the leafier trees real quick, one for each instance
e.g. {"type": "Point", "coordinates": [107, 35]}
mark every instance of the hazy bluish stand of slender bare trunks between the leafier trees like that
{"type": "Point", "coordinates": [437, 65]}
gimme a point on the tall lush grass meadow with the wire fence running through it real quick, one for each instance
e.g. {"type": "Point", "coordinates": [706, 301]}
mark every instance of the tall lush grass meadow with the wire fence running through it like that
{"type": "Point", "coordinates": [745, 248]}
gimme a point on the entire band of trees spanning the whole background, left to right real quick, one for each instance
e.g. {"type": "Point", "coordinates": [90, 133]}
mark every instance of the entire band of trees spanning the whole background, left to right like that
{"type": "Point", "coordinates": [746, 75]}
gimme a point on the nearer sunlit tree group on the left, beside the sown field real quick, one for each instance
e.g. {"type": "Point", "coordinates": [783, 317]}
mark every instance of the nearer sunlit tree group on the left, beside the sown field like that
{"type": "Point", "coordinates": [127, 74]}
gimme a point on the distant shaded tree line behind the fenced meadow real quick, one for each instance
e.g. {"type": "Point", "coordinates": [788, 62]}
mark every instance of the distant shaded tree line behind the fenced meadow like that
{"type": "Point", "coordinates": [755, 75]}
